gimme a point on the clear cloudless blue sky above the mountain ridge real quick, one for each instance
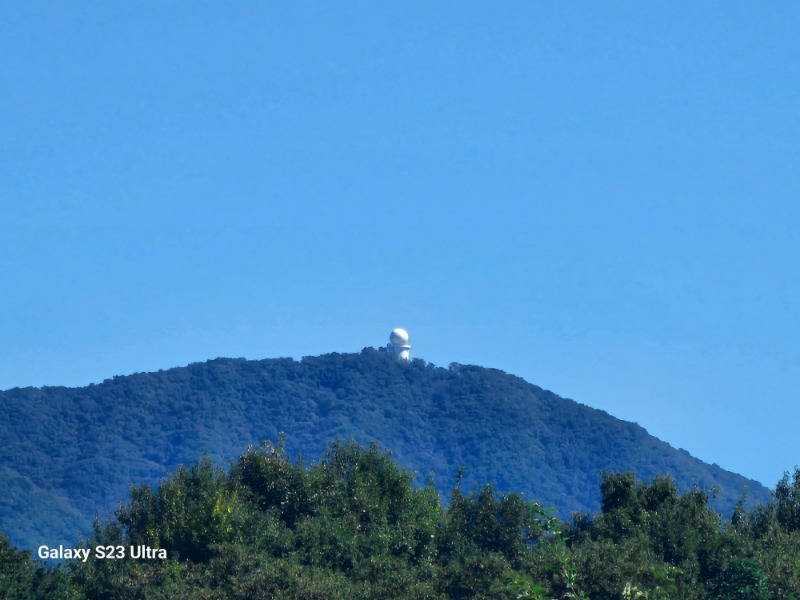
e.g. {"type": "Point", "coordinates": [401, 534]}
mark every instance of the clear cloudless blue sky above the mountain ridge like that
{"type": "Point", "coordinates": [602, 198]}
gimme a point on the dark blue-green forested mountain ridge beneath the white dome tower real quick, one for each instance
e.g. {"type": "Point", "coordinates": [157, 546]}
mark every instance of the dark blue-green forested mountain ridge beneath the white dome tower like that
{"type": "Point", "coordinates": [71, 453]}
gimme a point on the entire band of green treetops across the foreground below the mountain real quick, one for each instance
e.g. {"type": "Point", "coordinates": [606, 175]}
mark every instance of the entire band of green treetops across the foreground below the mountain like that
{"type": "Point", "coordinates": [352, 525]}
